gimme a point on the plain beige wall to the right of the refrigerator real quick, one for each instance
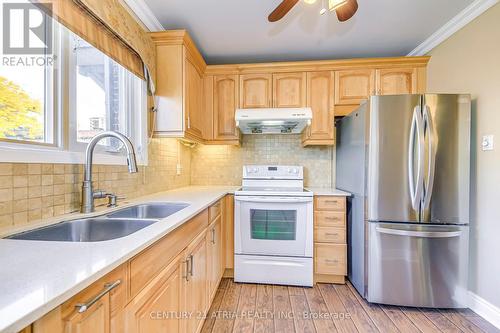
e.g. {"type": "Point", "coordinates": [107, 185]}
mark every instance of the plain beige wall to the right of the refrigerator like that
{"type": "Point", "coordinates": [469, 61]}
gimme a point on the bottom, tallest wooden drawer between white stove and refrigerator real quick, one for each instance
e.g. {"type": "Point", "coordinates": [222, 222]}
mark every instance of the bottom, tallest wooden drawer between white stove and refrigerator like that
{"type": "Point", "coordinates": [330, 259]}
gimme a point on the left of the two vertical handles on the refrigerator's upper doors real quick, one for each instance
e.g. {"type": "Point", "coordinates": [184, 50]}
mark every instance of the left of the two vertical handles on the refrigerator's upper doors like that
{"type": "Point", "coordinates": [416, 186]}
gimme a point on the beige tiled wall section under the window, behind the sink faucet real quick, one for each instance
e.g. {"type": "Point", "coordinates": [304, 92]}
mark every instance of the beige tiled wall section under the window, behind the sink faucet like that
{"type": "Point", "coordinates": [30, 192]}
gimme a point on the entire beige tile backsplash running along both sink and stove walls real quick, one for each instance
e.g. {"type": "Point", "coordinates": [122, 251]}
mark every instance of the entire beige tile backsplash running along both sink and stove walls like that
{"type": "Point", "coordinates": [32, 192]}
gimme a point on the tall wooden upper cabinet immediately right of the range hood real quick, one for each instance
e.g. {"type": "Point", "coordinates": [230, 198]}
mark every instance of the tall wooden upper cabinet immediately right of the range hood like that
{"type": "Point", "coordinates": [320, 98]}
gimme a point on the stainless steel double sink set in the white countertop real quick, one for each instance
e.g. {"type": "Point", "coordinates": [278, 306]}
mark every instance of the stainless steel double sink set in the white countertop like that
{"type": "Point", "coordinates": [114, 225]}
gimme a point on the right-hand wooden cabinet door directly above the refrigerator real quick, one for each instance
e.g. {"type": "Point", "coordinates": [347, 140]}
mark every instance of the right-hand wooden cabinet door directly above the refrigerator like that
{"type": "Point", "coordinates": [395, 81]}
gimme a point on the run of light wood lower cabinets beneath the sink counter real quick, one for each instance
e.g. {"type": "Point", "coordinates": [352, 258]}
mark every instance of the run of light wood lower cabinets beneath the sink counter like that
{"type": "Point", "coordinates": [173, 296]}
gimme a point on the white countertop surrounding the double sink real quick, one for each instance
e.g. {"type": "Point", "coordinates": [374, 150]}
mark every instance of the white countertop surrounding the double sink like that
{"type": "Point", "coordinates": [37, 276]}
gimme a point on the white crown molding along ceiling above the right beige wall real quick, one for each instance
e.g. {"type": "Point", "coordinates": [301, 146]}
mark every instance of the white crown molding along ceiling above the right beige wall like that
{"type": "Point", "coordinates": [458, 22]}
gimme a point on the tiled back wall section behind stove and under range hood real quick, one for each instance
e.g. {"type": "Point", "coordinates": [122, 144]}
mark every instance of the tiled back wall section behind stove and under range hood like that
{"type": "Point", "coordinates": [222, 165]}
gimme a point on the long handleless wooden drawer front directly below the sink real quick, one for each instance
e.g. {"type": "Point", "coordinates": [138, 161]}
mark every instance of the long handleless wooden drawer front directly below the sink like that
{"type": "Point", "coordinates": [151, 261]}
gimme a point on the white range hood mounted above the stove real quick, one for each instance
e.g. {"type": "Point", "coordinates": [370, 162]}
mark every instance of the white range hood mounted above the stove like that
{"type": "Point", "coordinates": [273, 120]}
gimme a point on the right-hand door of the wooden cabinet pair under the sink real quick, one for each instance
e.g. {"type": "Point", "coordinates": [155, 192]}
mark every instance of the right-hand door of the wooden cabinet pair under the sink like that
{"type": "Point", "coordinates": [195, 291]}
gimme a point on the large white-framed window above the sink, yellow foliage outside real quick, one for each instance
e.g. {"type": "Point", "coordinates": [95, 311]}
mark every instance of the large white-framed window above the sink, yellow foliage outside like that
{"type": "Point", "coordinates": [63, 104]}
